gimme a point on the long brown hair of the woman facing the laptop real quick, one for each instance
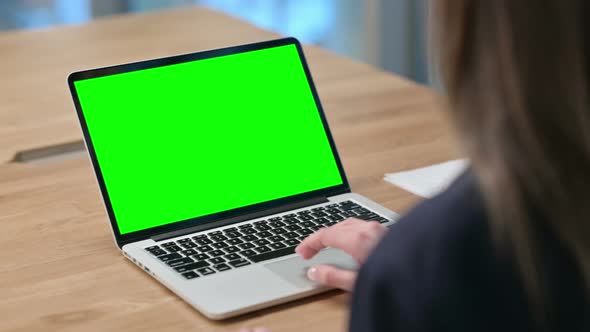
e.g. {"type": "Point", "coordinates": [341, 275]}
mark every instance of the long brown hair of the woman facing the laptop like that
{"type": "Point", "coordinates": [516, 73]}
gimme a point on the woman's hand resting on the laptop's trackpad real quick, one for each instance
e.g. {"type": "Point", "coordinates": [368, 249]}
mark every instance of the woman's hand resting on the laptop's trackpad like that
{"type": "Point", "coordinates": [353, 236]}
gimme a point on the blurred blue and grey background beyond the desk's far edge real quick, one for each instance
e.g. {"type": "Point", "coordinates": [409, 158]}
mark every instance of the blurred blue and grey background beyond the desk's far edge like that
{"type": "Point", "coordinates": [389, 34]}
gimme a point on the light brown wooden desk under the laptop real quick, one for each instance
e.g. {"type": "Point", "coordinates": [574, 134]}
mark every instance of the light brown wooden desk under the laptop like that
{"type": "Point", "coordinates": [59, 267]}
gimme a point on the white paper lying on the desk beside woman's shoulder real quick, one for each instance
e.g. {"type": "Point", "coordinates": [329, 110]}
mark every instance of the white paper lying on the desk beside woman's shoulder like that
{"type": "Point", "coordinates": [428, 181]}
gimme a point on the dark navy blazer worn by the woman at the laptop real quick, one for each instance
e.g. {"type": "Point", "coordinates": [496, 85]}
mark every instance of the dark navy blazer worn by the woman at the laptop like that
{"type": "Point", "coordinates": [439, 270]}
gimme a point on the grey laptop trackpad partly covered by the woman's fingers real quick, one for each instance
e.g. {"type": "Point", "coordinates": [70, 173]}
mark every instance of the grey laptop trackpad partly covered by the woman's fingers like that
{"type": "Point", "coordinates": [294, 270]}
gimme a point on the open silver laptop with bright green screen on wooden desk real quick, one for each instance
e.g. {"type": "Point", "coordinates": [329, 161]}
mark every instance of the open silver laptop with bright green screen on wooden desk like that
{"type": "Point", "coordinates": [213, 166]}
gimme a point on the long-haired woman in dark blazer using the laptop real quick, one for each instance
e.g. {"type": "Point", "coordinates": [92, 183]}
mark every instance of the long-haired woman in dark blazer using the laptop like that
{"type": "Point", "coordinates": [507, 246]}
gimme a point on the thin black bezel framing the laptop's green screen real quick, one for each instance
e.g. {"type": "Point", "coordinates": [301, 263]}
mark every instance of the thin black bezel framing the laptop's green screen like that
{"type": "Point", "coordinates": [123, 239]}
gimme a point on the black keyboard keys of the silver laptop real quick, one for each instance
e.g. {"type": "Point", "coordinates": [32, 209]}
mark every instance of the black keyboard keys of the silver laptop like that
{"type": "Point", "coordinates": [234, 247]}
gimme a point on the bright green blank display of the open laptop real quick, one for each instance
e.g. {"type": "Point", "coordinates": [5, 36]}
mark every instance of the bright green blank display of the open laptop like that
{"type": "Point", "coordinates": [192, 139]}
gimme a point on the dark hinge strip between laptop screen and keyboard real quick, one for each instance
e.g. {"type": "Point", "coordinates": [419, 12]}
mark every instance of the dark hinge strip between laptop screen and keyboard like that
{"type": "Point", "coordinates": [245, 217]}
